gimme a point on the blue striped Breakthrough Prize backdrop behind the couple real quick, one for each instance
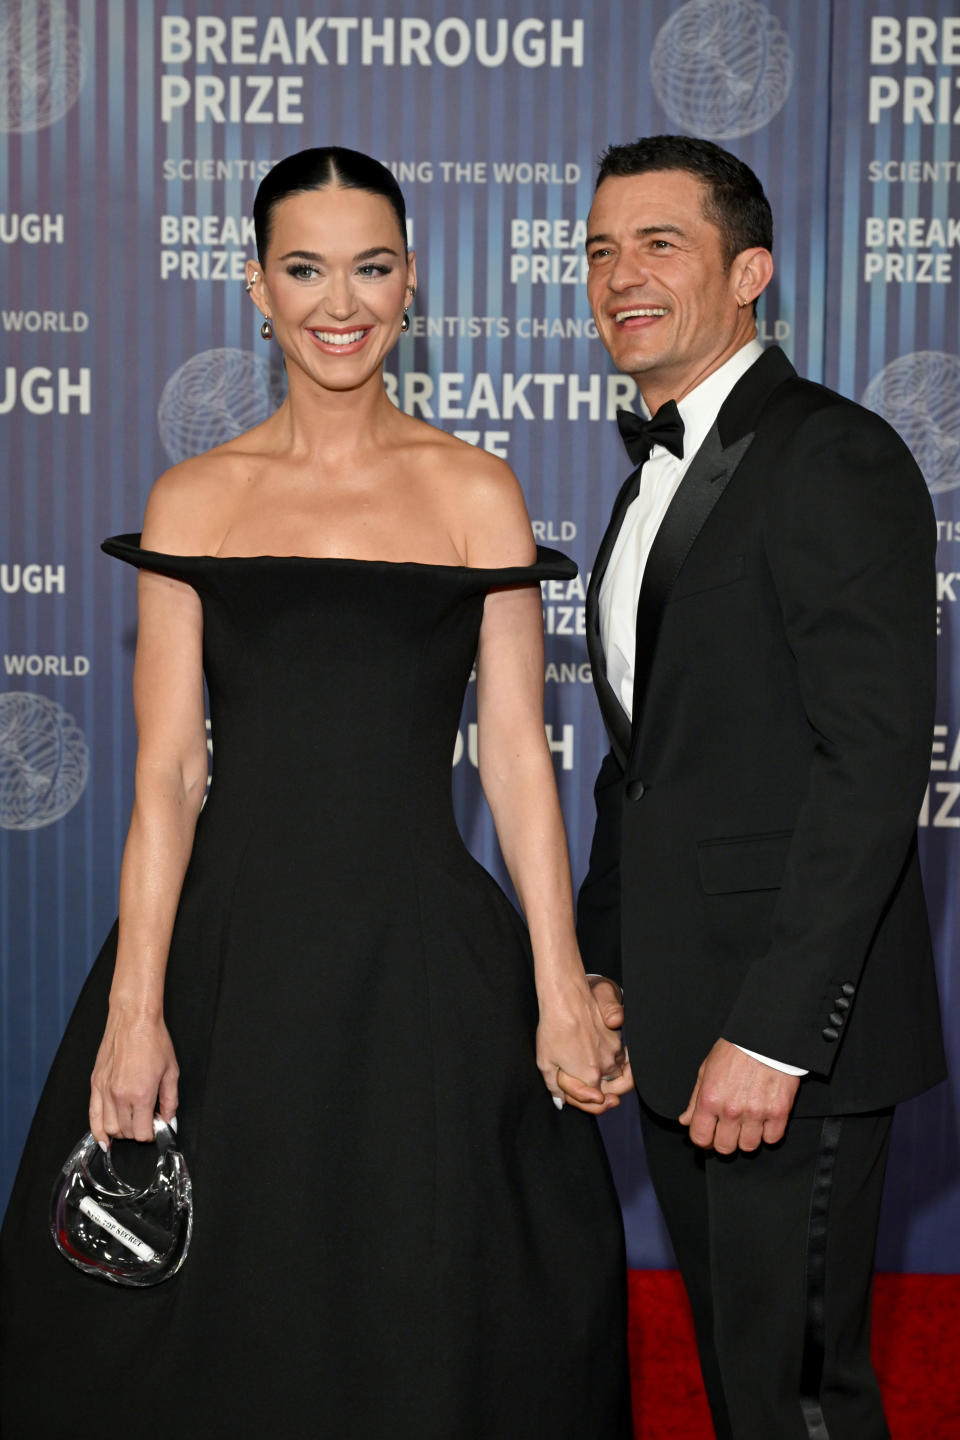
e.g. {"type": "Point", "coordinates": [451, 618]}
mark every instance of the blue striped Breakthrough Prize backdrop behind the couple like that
{"type": "Point", "coordinates": [135, 135]}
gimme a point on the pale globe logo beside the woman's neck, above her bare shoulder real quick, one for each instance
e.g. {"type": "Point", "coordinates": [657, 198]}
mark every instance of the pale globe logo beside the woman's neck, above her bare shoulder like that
{"type": "Point", "coordinates": [215, 397]}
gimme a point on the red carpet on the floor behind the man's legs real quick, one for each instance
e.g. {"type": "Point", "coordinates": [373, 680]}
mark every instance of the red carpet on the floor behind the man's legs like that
{"type": "Point", "coordinates": [916, 1351]}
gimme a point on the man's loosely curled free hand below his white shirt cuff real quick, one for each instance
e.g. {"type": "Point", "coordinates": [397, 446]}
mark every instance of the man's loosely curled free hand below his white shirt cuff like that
{"type": "Point", "coordinates": [738, 1102]}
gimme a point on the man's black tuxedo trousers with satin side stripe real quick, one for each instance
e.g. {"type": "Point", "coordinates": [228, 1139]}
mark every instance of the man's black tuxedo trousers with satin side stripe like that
{"type": "Point", "coordinates": [776, 1249]}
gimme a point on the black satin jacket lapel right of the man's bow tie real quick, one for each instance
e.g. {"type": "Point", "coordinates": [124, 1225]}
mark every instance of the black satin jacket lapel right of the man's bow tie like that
{"type": "Point", "coordinates": [697, 495]}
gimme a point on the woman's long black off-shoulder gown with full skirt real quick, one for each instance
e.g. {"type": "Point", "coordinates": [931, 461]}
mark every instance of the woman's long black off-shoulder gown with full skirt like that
{"type": "Point", "coordinates": [397, 1235]}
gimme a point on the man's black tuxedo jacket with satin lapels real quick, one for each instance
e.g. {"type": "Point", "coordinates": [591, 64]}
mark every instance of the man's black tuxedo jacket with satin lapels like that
{"type": "Point", "coordinates": [755, 873]}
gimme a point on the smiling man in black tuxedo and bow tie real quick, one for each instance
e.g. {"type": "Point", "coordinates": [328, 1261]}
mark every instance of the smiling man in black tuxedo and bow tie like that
{"type": "Point", "coordinates": [762, 629]}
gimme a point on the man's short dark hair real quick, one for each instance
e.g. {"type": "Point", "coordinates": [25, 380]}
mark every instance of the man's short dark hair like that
{"type": "Point", "coordinates": [735, 199]}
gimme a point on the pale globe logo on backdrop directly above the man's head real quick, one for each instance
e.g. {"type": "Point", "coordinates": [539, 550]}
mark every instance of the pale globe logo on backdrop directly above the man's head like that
{"type": "Point", "coordinates": [722, 68]}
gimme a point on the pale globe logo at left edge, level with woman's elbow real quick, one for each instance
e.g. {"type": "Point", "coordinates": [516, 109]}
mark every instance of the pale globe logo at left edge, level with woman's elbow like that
{"type": "Point", "coordinates": [44, 761]}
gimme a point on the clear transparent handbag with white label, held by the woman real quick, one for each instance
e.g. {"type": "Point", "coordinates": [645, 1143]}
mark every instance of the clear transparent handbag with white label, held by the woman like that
{"type": "Point", "coordinates": [124, 1233]}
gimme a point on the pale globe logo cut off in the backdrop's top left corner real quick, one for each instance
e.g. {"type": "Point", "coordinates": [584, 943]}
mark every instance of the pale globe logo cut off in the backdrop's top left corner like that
{"type": "Point", "coordinates": [42, 64]}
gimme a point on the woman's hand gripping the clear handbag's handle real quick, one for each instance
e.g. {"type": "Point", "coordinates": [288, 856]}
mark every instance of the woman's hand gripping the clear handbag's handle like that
{"type": "Point", "coordinates": [135, 1078]}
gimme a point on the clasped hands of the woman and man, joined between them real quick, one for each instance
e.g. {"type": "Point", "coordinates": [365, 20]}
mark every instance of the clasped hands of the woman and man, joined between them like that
{"type": "Point", "coordinates": [579, 1048]}
